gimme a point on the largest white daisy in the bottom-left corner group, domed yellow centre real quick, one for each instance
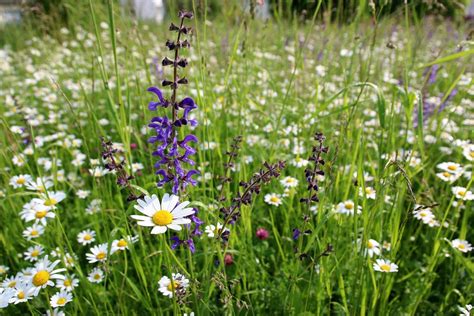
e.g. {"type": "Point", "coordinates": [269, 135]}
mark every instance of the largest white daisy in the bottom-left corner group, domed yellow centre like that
{"type": "Point", "coordinates": [44, 273]}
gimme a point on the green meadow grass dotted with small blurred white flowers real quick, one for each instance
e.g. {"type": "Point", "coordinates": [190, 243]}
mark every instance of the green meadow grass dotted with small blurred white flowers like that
{"type": "Point", "coordinates": [275, 83]}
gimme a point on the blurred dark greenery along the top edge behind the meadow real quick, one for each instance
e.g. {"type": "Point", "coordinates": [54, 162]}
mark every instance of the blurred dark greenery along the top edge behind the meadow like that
{"type": "Point", "coordinates": [49, 16]}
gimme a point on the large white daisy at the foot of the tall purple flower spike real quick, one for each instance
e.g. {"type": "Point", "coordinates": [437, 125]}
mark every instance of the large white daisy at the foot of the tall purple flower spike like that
{"type": "Point", "coordinates": [164, 215]}
